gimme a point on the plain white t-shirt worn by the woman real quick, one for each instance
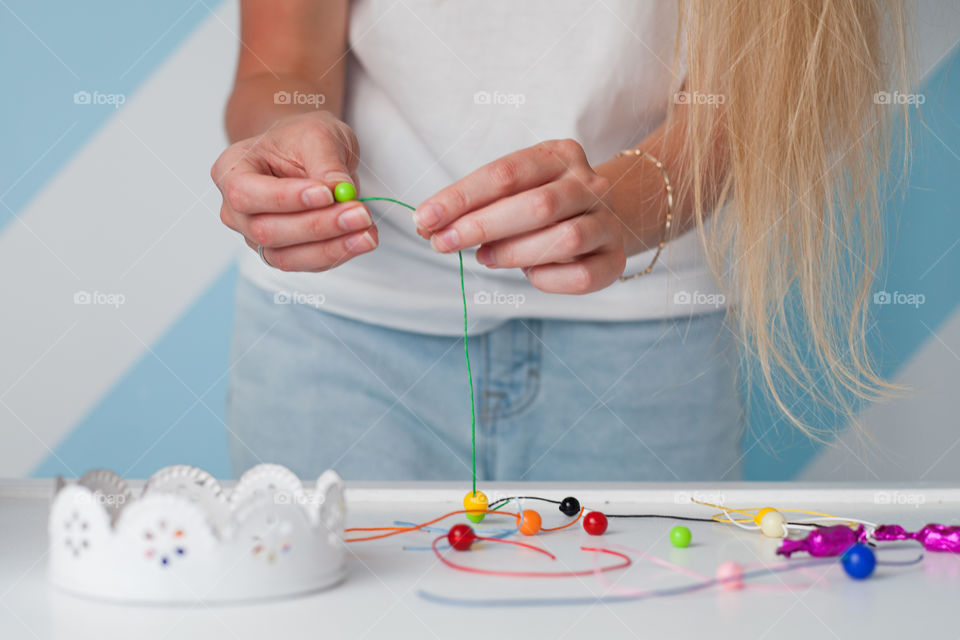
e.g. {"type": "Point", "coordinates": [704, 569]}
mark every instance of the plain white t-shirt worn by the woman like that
{"type": "Point", "coordinates": [436, 89]}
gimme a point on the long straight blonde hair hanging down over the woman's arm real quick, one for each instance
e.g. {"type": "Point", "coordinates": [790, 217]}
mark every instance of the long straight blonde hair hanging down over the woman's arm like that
{"type": "Point", "coordinates": [808, 144]}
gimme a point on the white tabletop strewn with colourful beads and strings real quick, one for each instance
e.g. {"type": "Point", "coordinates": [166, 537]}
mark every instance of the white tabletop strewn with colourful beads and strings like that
{"type": "Point", "coordinates": [381, 596]}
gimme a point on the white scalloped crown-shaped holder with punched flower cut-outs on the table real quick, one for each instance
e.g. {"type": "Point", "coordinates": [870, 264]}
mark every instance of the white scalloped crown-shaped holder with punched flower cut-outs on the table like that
{"type": "Point", "coordinates": [186, 539]}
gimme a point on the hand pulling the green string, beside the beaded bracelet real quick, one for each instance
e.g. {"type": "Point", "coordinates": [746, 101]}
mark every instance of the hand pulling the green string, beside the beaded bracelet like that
{"type": "Point", "coordinates": [542, 209]}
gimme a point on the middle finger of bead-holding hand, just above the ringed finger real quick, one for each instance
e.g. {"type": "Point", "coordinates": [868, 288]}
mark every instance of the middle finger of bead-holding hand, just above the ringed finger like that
{"type": "Point", "coordinates": [287, 229]}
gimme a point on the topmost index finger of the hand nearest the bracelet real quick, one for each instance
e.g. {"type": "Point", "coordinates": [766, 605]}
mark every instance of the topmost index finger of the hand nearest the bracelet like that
{"type": "Point", "coordinates": [518, 171]}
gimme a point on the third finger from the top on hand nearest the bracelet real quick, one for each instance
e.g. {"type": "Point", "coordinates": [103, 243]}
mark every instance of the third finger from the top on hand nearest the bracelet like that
{"type": "Point", "coordinates": [571, 238]}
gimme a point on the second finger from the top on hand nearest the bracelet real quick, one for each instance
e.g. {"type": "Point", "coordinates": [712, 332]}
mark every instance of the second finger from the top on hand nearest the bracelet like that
{"type": "Point", "coordinates": [526, 211]}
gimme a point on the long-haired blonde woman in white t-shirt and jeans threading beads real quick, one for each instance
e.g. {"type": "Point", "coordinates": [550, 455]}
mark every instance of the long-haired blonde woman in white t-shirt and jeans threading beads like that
{"type": "Point", "coordinates": [558, 145]}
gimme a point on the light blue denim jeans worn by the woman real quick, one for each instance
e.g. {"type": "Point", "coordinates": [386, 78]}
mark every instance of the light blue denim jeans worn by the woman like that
{"type": "Point", "coordinates": [555, 400]}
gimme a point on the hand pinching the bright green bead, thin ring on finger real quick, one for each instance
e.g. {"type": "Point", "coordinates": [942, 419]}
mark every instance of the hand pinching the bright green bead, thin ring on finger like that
{"type": "Point", "coordinates": [277, 192]}
